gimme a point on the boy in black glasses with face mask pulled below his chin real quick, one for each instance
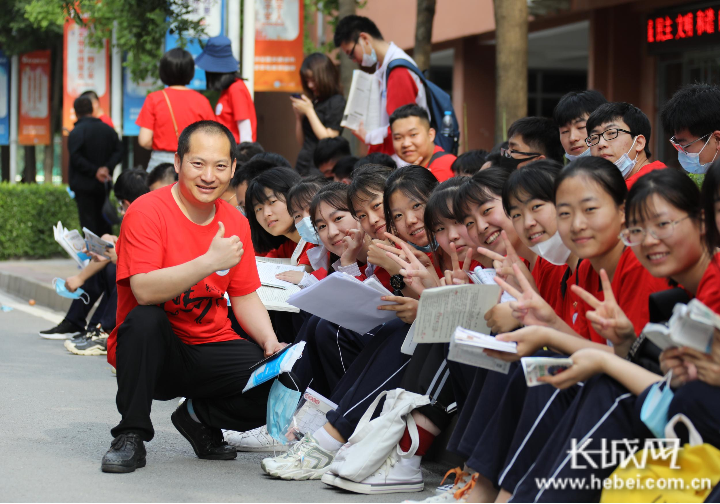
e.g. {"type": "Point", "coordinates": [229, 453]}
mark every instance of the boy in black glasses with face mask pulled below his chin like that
{"type": "Point", "coordinates": [620, 132]}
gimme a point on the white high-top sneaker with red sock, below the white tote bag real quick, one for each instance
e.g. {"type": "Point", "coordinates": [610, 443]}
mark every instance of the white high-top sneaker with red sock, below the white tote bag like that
{"type": "Point", "coordinates": [397, 475]}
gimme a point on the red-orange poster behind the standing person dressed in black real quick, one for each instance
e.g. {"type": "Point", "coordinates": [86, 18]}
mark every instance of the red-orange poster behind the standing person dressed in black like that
{"type": "Point", "coordinates": [85, 69]}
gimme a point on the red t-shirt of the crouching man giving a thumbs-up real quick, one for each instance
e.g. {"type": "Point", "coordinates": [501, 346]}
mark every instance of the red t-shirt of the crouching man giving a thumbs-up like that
{"type": "Point", "coordinates": [155, 235]}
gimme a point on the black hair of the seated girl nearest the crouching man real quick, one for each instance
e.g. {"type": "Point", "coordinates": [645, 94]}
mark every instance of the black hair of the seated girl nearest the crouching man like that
{"type": "Point", "coordinates": [279, 181]}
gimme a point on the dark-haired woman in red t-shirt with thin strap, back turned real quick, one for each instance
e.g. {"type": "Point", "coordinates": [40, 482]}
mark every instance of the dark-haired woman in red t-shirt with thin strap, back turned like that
{"type": "Point", "coordinates": [166, 113]}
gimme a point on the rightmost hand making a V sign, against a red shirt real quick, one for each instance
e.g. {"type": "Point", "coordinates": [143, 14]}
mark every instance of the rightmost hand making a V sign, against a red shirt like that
{"type": "Point", "coordinates": [607, 318]}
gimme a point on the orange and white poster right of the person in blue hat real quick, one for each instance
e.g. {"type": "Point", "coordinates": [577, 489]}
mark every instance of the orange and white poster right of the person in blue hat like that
{"type": "Point", "coordinates": [278, 45]}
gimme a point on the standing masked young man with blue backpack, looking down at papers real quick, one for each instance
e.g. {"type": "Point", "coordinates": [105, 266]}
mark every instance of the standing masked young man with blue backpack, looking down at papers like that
{"type": "Point", "coordinates": [359, 38]}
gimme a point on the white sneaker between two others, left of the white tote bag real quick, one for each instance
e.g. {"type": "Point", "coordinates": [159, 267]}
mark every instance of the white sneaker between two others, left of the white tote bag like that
{"type": "Point", "coordinates": [305, 460]}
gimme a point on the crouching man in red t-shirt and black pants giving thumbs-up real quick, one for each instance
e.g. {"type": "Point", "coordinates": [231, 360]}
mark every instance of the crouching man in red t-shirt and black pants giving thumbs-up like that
{"type": "Point", "coordinates": [181, 248]}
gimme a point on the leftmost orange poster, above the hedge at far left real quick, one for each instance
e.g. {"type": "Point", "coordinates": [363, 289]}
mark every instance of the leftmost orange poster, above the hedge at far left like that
{"type": "Point", "coordinates": [34, 117]}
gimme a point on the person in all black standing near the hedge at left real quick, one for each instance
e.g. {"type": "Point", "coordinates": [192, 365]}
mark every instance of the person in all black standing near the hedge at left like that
{"type": "Point", "coordinates": [95, 149]}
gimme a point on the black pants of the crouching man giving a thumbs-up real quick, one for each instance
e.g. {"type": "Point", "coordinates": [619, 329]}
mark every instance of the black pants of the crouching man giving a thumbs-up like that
{"type": "Point", "coordinates": [153, 363]}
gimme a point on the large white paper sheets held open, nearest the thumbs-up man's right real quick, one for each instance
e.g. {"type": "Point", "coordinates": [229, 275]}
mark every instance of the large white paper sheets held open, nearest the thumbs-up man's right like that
{"type": "Point", "coordinates": [344, 300]}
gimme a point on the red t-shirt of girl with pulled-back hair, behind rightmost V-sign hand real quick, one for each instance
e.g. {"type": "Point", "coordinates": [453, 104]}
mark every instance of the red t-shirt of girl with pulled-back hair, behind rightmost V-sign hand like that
{"type": "Point", "coordinates": [632, 285]}
